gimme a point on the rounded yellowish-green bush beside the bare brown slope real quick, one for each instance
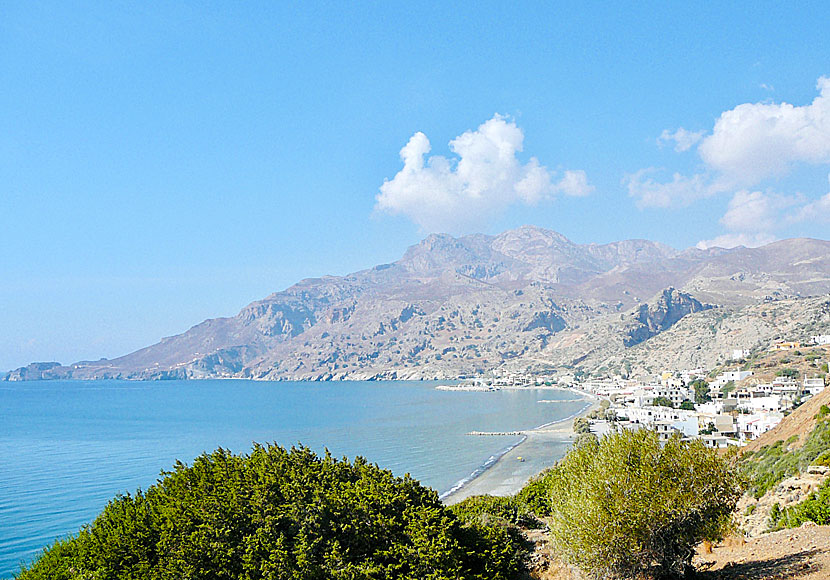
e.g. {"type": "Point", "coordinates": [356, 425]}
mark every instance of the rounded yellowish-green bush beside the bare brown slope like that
{"type": "Point", "coordinates": [626, 505]}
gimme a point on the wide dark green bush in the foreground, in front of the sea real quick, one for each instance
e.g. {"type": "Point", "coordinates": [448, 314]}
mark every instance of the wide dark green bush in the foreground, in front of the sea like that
{"type": "Point", "coordinates": [280, 514]}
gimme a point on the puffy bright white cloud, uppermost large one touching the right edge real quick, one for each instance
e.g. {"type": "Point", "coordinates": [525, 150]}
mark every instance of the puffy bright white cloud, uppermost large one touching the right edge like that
{"type": "Point", "coordinates": [755, 141]}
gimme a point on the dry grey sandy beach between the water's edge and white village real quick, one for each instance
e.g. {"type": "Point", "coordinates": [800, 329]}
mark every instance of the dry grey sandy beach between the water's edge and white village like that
{"type": "Point", "coordinates": [541, 449]}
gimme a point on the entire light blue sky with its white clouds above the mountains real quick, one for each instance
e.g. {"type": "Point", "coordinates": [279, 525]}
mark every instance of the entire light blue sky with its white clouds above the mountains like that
{"type": "Point", "coordinates": [164, 163]}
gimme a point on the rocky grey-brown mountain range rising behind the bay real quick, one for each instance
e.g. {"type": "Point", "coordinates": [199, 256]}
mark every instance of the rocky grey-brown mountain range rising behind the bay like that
{"type": "Point", "coordinates": [527, 299]}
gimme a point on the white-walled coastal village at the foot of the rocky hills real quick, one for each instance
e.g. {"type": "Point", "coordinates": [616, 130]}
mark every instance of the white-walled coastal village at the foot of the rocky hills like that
{"type": "Point", "coordinates": [728, 406]}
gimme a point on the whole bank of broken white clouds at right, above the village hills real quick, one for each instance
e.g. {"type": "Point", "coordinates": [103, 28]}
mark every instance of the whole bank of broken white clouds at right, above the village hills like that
{"type": "Point", "coordinates": [749, 146]}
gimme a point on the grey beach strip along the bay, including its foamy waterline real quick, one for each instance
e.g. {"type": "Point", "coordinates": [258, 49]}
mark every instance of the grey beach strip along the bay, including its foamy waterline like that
{"type": "Point", "coordinates": [504, 473]}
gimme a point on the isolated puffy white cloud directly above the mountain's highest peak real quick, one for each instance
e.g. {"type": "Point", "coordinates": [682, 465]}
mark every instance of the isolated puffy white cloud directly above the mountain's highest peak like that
{"type": "Point", "coordinates": [456, 195]}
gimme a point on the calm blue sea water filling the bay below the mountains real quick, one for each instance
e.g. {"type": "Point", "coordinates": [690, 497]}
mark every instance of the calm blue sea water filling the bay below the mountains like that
{"type": "Point", "coordinates": [67, 447]}
